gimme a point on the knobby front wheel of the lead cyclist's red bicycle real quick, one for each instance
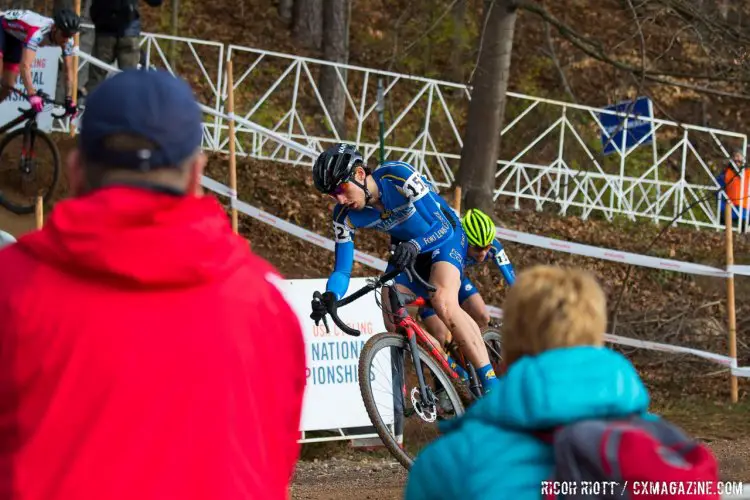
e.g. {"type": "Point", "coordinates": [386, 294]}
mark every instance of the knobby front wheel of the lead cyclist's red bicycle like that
{"type": "Point", "coordinates": [390, 391]}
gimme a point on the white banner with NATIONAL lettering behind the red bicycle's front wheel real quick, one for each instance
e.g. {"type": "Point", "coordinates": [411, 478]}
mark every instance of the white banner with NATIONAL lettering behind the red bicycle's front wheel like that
{"type": "Point", "coordinates": [332, 398]}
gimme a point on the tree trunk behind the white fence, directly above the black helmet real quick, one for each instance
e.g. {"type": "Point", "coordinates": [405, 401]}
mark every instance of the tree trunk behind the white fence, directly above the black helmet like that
{"type": "Point", "coordinates": [336, 14]}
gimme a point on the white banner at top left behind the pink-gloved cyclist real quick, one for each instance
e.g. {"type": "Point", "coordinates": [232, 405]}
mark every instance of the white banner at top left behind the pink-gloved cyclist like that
{"type": "Point", "coordinates": [44, 74]}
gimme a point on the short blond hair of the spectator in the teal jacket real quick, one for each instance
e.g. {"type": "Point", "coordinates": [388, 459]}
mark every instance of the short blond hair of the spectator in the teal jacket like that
{"type": "Point", "coordinates": [551, 307]}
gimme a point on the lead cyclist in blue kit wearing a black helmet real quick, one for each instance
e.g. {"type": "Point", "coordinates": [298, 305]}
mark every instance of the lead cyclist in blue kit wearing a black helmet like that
{"type": "Point", "coordinates": [397, 200]}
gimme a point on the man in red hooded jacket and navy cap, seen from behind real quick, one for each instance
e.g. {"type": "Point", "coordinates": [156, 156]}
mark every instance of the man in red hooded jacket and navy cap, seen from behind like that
{"type": "Point", "coordinates": [144, 351]}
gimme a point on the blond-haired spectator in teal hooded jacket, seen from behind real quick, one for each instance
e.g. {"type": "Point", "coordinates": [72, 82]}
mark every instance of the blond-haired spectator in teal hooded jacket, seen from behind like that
{"type": "Point", "coordinates": [490, 452]}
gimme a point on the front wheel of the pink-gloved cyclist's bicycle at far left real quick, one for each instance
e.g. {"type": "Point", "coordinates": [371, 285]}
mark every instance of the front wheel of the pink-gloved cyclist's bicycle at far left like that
{"type": "Point", "coordinates": [26, 173]}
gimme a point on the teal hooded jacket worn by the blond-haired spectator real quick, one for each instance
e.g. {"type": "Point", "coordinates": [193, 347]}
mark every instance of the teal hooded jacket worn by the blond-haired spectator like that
{"type": "Point", "coordinates": [490, 453]}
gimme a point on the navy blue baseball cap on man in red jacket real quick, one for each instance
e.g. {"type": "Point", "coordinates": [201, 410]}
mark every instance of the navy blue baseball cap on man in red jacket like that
{"type": "Point", "coordinates": [154, 105]}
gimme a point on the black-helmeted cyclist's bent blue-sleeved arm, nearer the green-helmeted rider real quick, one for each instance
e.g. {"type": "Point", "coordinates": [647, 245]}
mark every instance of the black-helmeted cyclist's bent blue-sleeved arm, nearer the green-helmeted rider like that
{"type": "Point", "coordinates": [415, 190]}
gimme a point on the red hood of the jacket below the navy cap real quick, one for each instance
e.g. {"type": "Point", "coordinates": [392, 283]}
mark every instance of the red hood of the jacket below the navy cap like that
{"type": "Point", "coordinates": [139, 238]}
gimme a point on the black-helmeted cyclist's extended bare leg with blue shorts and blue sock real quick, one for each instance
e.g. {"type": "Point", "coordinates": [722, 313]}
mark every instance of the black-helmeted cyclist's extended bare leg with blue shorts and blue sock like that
{"type": "Point", "coordinates": [446, 276]}
